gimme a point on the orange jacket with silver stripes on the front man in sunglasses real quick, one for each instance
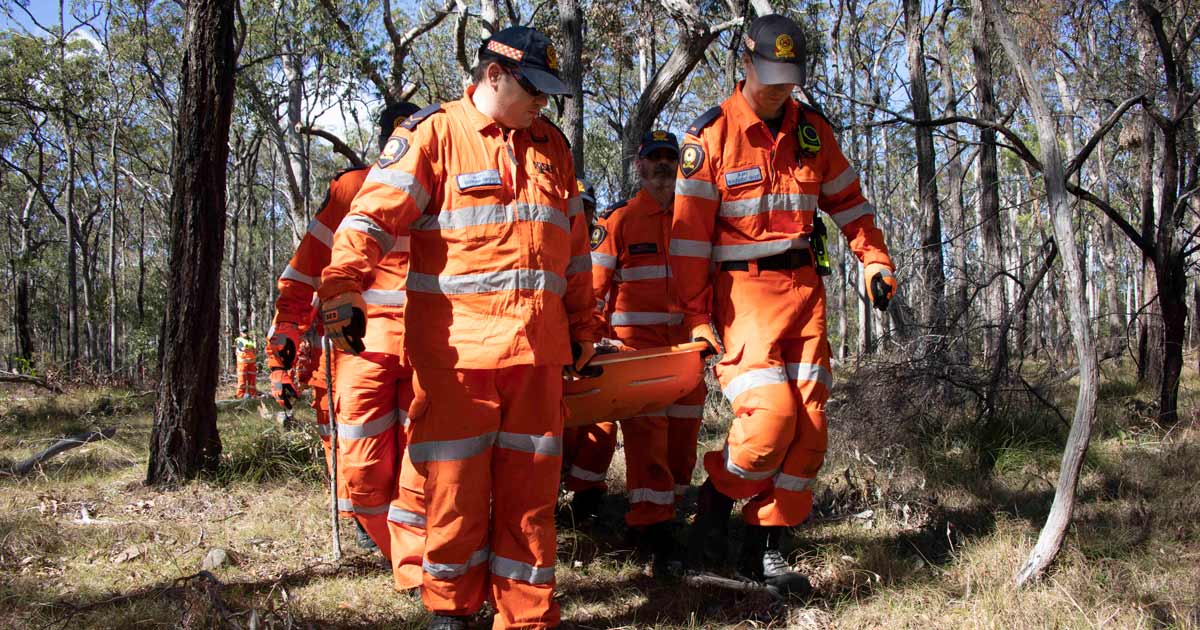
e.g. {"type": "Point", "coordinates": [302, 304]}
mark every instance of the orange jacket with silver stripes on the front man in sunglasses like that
{"type": "Point", "coordinates": [500, 273]}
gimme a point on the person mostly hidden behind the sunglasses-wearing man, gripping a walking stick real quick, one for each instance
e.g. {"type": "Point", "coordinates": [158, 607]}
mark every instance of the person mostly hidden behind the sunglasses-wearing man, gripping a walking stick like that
{"type": "Point", "coordinates": [377, 485]}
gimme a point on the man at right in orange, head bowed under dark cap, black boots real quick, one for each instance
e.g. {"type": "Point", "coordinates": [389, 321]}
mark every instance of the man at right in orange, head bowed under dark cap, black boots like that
{"type": "Point", "coordinates": [752, 176]}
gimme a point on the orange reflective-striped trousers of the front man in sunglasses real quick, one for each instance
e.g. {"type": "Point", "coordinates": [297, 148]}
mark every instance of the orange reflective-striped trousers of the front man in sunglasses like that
{"type": "Point", "coordinates": [489, 443]}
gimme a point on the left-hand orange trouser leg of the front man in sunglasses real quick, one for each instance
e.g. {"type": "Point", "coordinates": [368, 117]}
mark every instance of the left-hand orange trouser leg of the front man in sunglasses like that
{"type": "Point", "coordinates": [455, 419]}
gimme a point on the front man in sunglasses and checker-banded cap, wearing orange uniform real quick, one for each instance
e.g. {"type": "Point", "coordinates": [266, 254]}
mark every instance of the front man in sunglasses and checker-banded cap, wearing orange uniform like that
{"type": "Point", "coordinates": [500, 299]}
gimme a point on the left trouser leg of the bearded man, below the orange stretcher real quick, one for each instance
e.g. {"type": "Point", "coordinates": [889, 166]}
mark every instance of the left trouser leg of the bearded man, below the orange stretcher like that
{"type": "Point", "coordinates": [647, 475]}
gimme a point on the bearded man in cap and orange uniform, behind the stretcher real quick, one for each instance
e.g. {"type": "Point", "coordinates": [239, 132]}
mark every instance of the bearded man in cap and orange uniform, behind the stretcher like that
{"type": "Point", "coordinates": [632, 280]}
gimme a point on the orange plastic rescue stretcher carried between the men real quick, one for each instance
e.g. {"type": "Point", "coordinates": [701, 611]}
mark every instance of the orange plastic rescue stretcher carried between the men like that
{"type": "Point", "coordinates": [634, 383]}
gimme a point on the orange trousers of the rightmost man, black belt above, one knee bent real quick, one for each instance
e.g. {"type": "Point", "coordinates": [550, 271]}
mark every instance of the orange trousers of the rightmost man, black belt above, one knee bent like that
{"type": "Point", "coordinates": [776, 373]}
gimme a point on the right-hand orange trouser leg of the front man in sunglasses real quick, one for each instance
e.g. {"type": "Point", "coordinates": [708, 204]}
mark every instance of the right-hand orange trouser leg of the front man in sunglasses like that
{"type": "Point", "coordinates": [527, 460]}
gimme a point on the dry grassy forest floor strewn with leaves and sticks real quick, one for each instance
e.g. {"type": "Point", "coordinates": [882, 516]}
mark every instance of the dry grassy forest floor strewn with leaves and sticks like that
{"type": "Point", "coordinates": [907, 533]}
